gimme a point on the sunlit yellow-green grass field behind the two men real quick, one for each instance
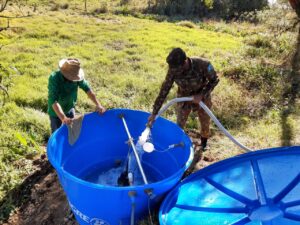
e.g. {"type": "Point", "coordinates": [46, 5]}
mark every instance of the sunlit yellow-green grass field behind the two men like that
{"type": "Point", "coordinates": [124, 61]}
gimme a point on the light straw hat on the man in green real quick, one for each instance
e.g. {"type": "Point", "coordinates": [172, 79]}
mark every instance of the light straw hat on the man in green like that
{"type": "Point", "coordinates": [70, 68]}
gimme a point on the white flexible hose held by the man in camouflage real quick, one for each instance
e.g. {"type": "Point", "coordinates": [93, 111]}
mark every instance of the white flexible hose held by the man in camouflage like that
{"type": "Point", "coordinates": [211, 115]}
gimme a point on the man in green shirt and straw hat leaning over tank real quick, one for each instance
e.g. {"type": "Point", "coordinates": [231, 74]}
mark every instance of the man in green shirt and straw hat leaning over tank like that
{"type": "Point", "coordinates": [62, 92]}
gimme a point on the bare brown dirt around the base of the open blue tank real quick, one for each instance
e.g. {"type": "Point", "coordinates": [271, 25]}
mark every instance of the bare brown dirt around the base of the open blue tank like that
{"type": "Point", "coordinates": [46, 202]}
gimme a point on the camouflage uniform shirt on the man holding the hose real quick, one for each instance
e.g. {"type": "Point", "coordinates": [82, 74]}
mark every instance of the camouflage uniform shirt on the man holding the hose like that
{"type": "Point", "coordinates": [201, 78]}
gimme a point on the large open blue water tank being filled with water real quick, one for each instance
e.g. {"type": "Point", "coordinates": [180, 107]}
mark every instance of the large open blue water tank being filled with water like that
{"type": "Point", "coordinates": [102, 144]}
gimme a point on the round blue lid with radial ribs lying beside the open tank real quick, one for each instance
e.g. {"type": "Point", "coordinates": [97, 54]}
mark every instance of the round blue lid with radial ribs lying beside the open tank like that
{"type": "Point", "coordinates": [257, 188]}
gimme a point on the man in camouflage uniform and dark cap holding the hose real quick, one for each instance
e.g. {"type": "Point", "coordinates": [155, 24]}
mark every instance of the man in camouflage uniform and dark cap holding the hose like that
{"type": "Point", "coordinates": [194, 77]}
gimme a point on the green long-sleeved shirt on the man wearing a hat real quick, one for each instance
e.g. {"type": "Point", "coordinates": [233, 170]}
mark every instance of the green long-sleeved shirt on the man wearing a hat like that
{"type": "Point", "coordinates": [64, 92]}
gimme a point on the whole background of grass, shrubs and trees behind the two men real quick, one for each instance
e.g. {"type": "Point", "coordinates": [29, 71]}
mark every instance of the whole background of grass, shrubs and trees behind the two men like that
{"type": "Point", "coordinates": [122, 46]}
